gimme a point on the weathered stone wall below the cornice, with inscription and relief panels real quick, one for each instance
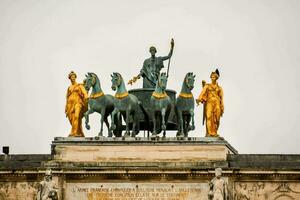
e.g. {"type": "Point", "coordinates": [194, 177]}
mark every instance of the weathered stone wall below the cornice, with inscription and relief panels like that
{"type": "Point", "coordinates": [80, 185]}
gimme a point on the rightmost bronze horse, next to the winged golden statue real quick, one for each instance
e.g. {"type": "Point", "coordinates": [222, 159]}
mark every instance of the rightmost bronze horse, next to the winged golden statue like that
{"type": "Point", "coordinates": [185, 106]}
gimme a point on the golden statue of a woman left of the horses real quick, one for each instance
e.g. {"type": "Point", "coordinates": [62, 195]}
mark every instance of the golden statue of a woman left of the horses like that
{"type": "Point", "coordinates": [76, 105]}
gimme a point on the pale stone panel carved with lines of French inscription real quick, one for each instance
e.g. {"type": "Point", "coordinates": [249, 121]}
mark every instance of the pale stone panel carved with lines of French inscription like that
{"type": "Point", "coordinates": [137, 191]}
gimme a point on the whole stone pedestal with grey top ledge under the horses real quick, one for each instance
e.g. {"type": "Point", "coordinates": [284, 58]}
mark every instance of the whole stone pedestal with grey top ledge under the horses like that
{"type": "Point", "coordinates": [140, 149]}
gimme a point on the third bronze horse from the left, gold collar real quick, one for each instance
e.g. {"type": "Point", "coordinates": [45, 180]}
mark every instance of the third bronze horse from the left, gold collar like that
{"type": "Point", "coordinates": [161, 106]}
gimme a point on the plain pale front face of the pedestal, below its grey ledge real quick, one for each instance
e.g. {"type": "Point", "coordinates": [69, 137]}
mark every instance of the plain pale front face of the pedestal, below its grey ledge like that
{"type": "Point", "coordinates": [140, 153]}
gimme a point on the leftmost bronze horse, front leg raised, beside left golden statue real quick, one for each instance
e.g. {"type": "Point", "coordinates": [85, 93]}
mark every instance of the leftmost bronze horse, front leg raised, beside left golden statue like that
{"type": "Point", "coordinates": [98, 102]}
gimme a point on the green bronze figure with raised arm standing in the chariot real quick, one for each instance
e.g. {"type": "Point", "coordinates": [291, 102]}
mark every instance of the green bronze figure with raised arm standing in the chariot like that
{"type": "Point", "coordinates": [152, 66]}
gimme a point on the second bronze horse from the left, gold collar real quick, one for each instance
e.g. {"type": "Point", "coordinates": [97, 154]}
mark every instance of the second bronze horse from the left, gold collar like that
{"type": "Point", "coordinates": [125, 104]}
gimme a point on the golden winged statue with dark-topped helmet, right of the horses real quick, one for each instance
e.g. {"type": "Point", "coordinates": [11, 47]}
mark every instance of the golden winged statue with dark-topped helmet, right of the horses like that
{"type": "Point", "coordinates": [212, 98]}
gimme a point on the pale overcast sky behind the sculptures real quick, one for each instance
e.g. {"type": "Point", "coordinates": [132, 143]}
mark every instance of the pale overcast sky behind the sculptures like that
{"type": "Point", "coordinates": [255, 44]}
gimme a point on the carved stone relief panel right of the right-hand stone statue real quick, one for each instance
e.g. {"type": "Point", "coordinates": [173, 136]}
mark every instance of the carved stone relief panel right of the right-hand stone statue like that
{"type": "Point", "coordinates": [267, 190]}
